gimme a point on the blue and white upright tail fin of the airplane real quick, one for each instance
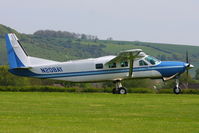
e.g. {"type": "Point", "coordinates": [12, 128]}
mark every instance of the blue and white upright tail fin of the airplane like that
{"type": "Point", "coordinates": [17, 57]}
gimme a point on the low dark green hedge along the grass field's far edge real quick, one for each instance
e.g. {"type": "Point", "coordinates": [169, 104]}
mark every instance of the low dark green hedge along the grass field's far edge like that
{"type": "Point", "coordinates": [90, 90]}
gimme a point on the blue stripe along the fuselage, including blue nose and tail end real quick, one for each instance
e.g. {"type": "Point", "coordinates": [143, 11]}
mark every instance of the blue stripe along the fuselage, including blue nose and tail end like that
{"type": "Point", "coordinates": [166, 68]}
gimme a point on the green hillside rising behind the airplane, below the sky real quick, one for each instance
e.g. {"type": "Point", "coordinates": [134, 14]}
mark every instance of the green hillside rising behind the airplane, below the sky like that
{"type": "Point", "coordinates": [64, 46]}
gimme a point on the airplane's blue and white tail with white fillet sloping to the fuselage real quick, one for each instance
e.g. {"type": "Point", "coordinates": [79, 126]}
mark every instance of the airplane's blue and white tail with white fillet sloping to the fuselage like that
{"type": "Point", "coordinates": [17, 56]}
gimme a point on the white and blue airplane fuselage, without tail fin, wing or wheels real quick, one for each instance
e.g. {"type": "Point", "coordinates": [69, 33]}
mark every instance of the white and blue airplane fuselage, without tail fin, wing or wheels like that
{"type": "Point", "coordinates": [96, 69]}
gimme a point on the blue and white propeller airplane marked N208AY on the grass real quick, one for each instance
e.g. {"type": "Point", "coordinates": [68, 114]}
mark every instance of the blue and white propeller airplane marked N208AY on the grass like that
{"type": "Point", "coordinates": [128, 64]}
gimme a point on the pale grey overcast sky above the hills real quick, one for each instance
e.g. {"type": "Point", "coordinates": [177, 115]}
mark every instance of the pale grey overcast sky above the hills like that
{"type": "Point", "coordinates": [166, 21]}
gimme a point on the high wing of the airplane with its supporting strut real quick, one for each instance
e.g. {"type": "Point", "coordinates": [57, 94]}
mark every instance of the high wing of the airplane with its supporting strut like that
{"type": "Point", "coordinates": [130, 55]}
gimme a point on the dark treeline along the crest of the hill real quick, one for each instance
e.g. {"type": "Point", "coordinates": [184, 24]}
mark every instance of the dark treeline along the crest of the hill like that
{"type": "Point", "coordinates": [64, 34]}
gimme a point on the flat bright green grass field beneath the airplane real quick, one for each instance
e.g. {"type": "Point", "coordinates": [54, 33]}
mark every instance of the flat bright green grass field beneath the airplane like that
{"type": "Point", "coordinates": [28, 112]}
